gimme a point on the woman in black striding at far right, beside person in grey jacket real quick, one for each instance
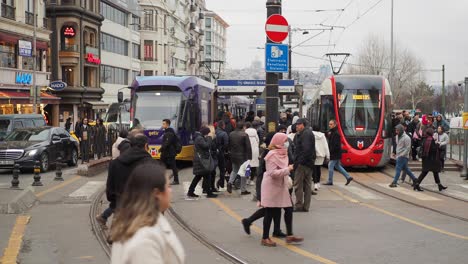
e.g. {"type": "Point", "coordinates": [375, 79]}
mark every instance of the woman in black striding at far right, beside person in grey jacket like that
{"type": "Point", "coordinates": [430, 160]}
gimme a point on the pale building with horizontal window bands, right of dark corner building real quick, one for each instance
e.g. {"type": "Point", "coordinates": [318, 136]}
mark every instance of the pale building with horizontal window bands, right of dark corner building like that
{"type": "Point", "coordinates": [120, 47]}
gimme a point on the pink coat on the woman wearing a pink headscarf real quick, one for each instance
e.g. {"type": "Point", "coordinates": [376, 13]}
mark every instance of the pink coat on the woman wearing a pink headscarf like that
{"type": "Point", "coordinates": [274, 189]}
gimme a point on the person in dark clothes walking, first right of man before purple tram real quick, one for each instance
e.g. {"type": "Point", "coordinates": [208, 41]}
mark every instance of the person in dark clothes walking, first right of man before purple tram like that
{"type": "Point", "coordinates": [203, 144]}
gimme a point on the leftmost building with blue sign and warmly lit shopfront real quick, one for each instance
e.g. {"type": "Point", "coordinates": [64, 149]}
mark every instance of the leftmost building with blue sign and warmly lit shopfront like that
{"type": "Point", "coordinates": [17, 58]}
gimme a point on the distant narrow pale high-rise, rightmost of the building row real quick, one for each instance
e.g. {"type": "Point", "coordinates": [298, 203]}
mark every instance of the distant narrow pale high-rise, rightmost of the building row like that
{"type": "Point", "coordinates": [215, 44]}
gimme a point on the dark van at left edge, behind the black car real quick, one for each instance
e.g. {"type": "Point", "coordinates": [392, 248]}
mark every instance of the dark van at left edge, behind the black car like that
{"type": "Point", "coordinates": [9, 123]}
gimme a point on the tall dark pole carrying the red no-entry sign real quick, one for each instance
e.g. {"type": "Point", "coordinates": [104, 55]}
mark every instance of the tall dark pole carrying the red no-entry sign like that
{"type": "Point", "coordinates": [272, 93]}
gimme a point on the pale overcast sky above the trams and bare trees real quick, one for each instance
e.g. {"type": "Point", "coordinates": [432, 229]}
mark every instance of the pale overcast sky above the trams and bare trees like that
{"type": "Point", "coordinates": [435, 31]}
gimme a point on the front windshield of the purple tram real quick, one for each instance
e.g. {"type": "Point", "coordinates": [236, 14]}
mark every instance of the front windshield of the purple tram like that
{"type": "Point", "coordinates": [152, 107]}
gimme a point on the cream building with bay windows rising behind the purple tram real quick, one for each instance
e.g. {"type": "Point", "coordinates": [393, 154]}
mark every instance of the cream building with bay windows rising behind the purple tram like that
{"type": "Point", "coordinates": [171, 37]}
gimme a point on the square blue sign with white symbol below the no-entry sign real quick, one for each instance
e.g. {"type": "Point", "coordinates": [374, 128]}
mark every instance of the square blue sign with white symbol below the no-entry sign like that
{"type": "Point", "coordinates": [276, 57]}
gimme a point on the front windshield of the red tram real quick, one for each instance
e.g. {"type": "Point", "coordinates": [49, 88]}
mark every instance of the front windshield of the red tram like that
{"type": "Point", "coordinates": [359, 110]}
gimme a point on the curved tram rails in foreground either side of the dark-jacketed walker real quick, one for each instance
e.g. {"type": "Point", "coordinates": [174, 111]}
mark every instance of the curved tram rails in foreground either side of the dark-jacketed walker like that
{"type": "Point", "coordinates": [101, 235]}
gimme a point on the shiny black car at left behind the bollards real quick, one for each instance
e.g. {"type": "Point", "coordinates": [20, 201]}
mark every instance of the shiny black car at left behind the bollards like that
{"type": "Point", "coordinates": [25, 146]}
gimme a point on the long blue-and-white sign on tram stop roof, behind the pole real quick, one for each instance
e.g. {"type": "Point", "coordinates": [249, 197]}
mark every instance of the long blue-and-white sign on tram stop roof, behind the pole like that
{"type": "Point", "coordinates": [252, 86]}
